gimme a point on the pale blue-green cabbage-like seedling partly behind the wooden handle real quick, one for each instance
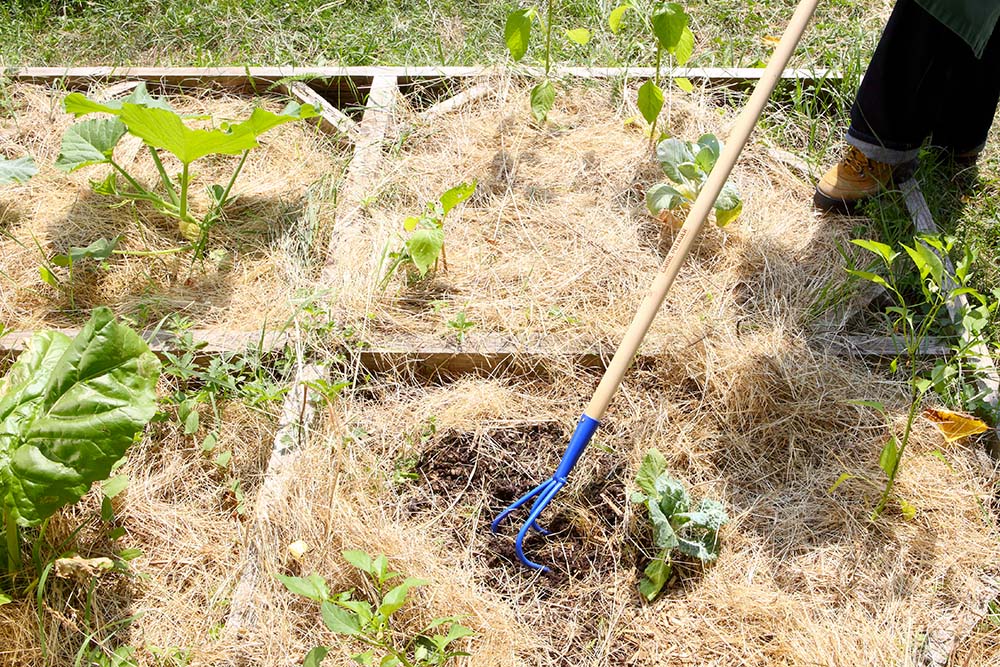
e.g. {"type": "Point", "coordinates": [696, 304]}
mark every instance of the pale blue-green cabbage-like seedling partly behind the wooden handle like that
{"type": "Point", "coordinates": [687, 164]}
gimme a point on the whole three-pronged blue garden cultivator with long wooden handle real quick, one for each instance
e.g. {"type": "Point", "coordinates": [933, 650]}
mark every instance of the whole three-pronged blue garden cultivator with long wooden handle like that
{"type": "Point", "coordinates": [542, 495]}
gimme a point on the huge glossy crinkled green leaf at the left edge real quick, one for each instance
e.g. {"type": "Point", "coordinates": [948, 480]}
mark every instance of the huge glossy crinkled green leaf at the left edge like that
{"type": "Point", "coordinates": [68, 411]}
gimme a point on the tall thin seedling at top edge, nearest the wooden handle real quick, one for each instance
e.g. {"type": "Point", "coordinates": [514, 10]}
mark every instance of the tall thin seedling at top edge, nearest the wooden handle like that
{"type": "Point", "coordinates": [668, 23]}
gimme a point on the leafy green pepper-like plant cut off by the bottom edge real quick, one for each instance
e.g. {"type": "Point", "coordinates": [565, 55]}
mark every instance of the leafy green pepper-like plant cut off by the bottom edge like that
{"type": "Point", "coordinates": [370, 621]}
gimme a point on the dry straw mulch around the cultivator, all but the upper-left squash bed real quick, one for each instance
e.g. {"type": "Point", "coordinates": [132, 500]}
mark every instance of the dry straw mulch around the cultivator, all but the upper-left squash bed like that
{"type": "Point", "coordinates": [742, 398]}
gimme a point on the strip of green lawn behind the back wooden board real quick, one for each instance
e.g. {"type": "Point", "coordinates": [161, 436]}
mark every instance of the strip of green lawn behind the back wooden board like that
{"type": "Point", "coordinates": [395, 32]}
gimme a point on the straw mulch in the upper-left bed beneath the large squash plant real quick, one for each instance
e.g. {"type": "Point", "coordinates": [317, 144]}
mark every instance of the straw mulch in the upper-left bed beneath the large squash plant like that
{"type": "Point", "coordinates": [261, 251]}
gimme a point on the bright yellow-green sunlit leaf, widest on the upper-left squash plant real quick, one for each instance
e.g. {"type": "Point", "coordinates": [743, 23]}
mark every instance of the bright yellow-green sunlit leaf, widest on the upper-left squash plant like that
{"type": "Point", "coordinates": [164, 129]}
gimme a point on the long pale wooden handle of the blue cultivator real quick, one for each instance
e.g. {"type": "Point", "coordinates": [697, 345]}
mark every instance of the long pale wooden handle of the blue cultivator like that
{"type": "Point", "coordinates": [699, 212]}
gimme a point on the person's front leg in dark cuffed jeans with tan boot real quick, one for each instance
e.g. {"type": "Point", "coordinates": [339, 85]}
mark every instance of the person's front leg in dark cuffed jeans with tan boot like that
{"type": "Point", "coordinates": [895, 109]}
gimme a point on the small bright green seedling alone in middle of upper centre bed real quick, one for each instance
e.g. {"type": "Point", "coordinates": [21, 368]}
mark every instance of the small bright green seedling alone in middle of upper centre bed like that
{"type": "Point", "coordinates": [425, 244]}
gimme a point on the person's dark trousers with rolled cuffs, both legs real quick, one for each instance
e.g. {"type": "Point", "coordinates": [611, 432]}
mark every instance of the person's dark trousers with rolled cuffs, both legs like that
{"type": "Point", "coordinates": [924, 81]}
